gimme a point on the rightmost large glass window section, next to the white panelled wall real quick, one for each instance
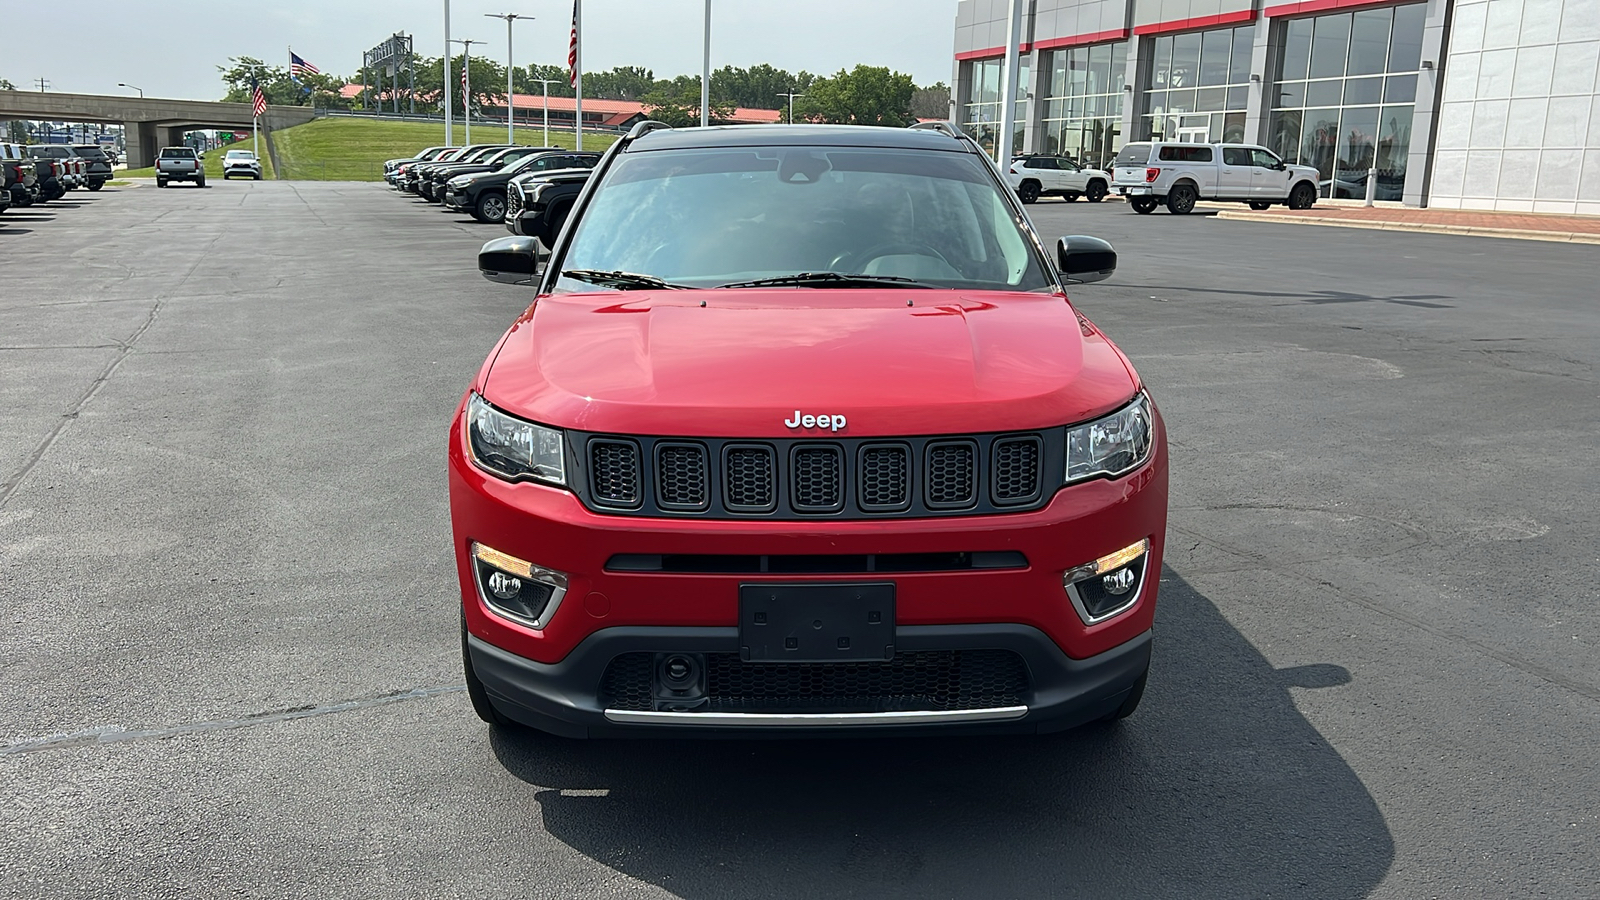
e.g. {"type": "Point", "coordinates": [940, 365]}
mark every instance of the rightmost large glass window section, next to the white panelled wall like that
{"type": "Point", "coordinates": [1354, 113]}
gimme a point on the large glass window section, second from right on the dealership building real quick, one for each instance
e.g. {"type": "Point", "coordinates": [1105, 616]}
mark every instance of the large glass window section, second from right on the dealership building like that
{"type": "Point", "coordinates": [1199, 86]}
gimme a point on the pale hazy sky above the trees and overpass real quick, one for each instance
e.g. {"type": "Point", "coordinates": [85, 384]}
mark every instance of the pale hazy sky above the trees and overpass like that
{"type": "Point", "coordinates": [174, 47]}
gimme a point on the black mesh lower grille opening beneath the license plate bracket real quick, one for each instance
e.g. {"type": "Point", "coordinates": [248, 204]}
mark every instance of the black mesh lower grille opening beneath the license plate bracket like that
{"type": "Point", "coordinates": [913, 681]}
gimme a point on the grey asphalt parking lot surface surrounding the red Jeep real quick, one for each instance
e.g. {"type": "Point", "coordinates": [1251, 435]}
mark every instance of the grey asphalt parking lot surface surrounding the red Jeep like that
{"type": "Point", "coordinates": [230, 661]}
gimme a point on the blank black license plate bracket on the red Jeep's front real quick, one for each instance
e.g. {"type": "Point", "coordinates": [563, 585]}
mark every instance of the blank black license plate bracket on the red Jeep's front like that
{"type": "Point", "coordinates": [817, 624]}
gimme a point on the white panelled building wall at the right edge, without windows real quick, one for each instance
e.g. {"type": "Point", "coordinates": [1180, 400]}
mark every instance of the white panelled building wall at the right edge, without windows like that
{"type": "Point", "coordinates": [1519, 127]}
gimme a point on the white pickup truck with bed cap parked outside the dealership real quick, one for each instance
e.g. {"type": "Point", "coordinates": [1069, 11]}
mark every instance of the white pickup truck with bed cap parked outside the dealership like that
{"type": "Point", "coordinates": [1153, 174]}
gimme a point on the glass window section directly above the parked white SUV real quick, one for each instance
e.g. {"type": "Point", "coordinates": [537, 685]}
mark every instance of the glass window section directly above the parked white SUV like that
{"type": "Point", "coordinates": [1084, 113]}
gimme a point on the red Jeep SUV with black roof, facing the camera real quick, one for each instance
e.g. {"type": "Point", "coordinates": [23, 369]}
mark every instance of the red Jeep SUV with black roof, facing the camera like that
{"type": "Point", "coordinates": [802, 435]}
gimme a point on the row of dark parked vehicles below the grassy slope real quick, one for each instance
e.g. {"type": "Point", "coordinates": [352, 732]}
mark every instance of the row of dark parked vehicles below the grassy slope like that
{"type": "Point", "coordinates": [479, 179]}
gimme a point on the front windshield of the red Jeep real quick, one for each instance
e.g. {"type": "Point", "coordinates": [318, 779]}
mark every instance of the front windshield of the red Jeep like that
{"type": "Point", "coordinates": [714, 217]}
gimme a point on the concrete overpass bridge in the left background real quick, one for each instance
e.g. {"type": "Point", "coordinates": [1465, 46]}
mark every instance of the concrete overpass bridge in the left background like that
{"type": "Point", "coordinates": [150, 123]}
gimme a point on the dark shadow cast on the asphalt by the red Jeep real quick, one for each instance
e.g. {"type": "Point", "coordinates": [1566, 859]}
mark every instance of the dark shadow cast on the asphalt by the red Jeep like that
{"type": "Point", "coordinates": [1217, 787]}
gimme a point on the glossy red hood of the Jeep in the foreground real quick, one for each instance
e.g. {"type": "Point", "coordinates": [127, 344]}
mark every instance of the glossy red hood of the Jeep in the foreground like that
{"type": "Point", "coordinates": [658, 363]}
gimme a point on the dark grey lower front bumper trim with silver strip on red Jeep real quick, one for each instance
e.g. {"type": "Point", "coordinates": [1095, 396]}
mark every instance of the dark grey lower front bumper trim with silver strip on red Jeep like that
{"type": "Point", "coordinates": [566, 697]}
